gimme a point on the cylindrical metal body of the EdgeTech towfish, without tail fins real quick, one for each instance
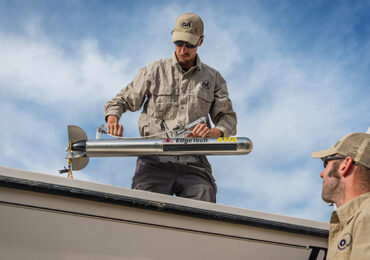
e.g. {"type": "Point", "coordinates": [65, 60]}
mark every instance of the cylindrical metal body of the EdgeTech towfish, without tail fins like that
{"type": "Point", "coordinates": [175, 146]}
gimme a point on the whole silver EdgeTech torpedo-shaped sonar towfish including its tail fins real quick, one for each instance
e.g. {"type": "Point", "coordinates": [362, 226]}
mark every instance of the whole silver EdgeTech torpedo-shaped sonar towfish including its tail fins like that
{"type": "Point", "coordinates": [80, 148]}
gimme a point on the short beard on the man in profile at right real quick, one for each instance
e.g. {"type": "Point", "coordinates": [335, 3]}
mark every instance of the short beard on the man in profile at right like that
{"type": "Point", "coordinates": [331, 188]}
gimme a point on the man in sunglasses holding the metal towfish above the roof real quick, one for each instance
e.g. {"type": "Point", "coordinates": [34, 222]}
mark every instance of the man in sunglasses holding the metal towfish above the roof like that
{"type": "Point", "coordinates": [175, 92]}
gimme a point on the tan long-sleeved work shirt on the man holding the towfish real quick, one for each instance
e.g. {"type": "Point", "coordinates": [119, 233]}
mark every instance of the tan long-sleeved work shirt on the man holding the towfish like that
{"type": "Point", "coordinates": [176, 97]}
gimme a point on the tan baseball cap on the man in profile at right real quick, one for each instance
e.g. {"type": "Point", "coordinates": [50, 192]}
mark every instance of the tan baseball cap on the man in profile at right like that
{"type": "Point", "coordinates": [355, 145]}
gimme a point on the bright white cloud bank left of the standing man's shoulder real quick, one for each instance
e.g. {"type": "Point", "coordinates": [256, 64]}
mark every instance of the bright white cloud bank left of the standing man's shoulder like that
{"type": "Point", "coordinates": [35, 68]}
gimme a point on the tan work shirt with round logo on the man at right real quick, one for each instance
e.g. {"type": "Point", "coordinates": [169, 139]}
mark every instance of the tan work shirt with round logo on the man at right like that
{"type": "Point", "coordinates": [349, 234]}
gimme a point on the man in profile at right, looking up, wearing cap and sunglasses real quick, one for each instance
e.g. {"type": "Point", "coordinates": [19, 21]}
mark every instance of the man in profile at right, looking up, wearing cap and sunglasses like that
{"type": "Point", "coordinates": [346, 182]}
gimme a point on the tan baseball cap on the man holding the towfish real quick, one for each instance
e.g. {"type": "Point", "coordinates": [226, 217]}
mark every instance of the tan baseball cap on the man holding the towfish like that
{"type": "Point", "coordinates": [188, 27]}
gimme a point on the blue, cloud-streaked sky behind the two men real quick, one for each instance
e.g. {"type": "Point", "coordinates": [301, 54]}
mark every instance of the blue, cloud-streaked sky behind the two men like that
{"type": "Point", "coordinates": [297, 73]}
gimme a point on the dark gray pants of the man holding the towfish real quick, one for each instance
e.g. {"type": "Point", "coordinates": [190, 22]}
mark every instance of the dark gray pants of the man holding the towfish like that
{"type": "Point", "coordinates": [188, 176]}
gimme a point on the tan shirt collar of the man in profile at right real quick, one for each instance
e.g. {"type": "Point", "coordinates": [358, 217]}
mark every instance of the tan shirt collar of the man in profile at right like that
{"type": "Point", "coordinates": [345, 212]}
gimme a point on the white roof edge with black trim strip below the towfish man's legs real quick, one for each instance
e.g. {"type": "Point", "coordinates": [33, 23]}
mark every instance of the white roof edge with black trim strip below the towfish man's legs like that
{"type": "Point", "coordinates": [50, 184]}
